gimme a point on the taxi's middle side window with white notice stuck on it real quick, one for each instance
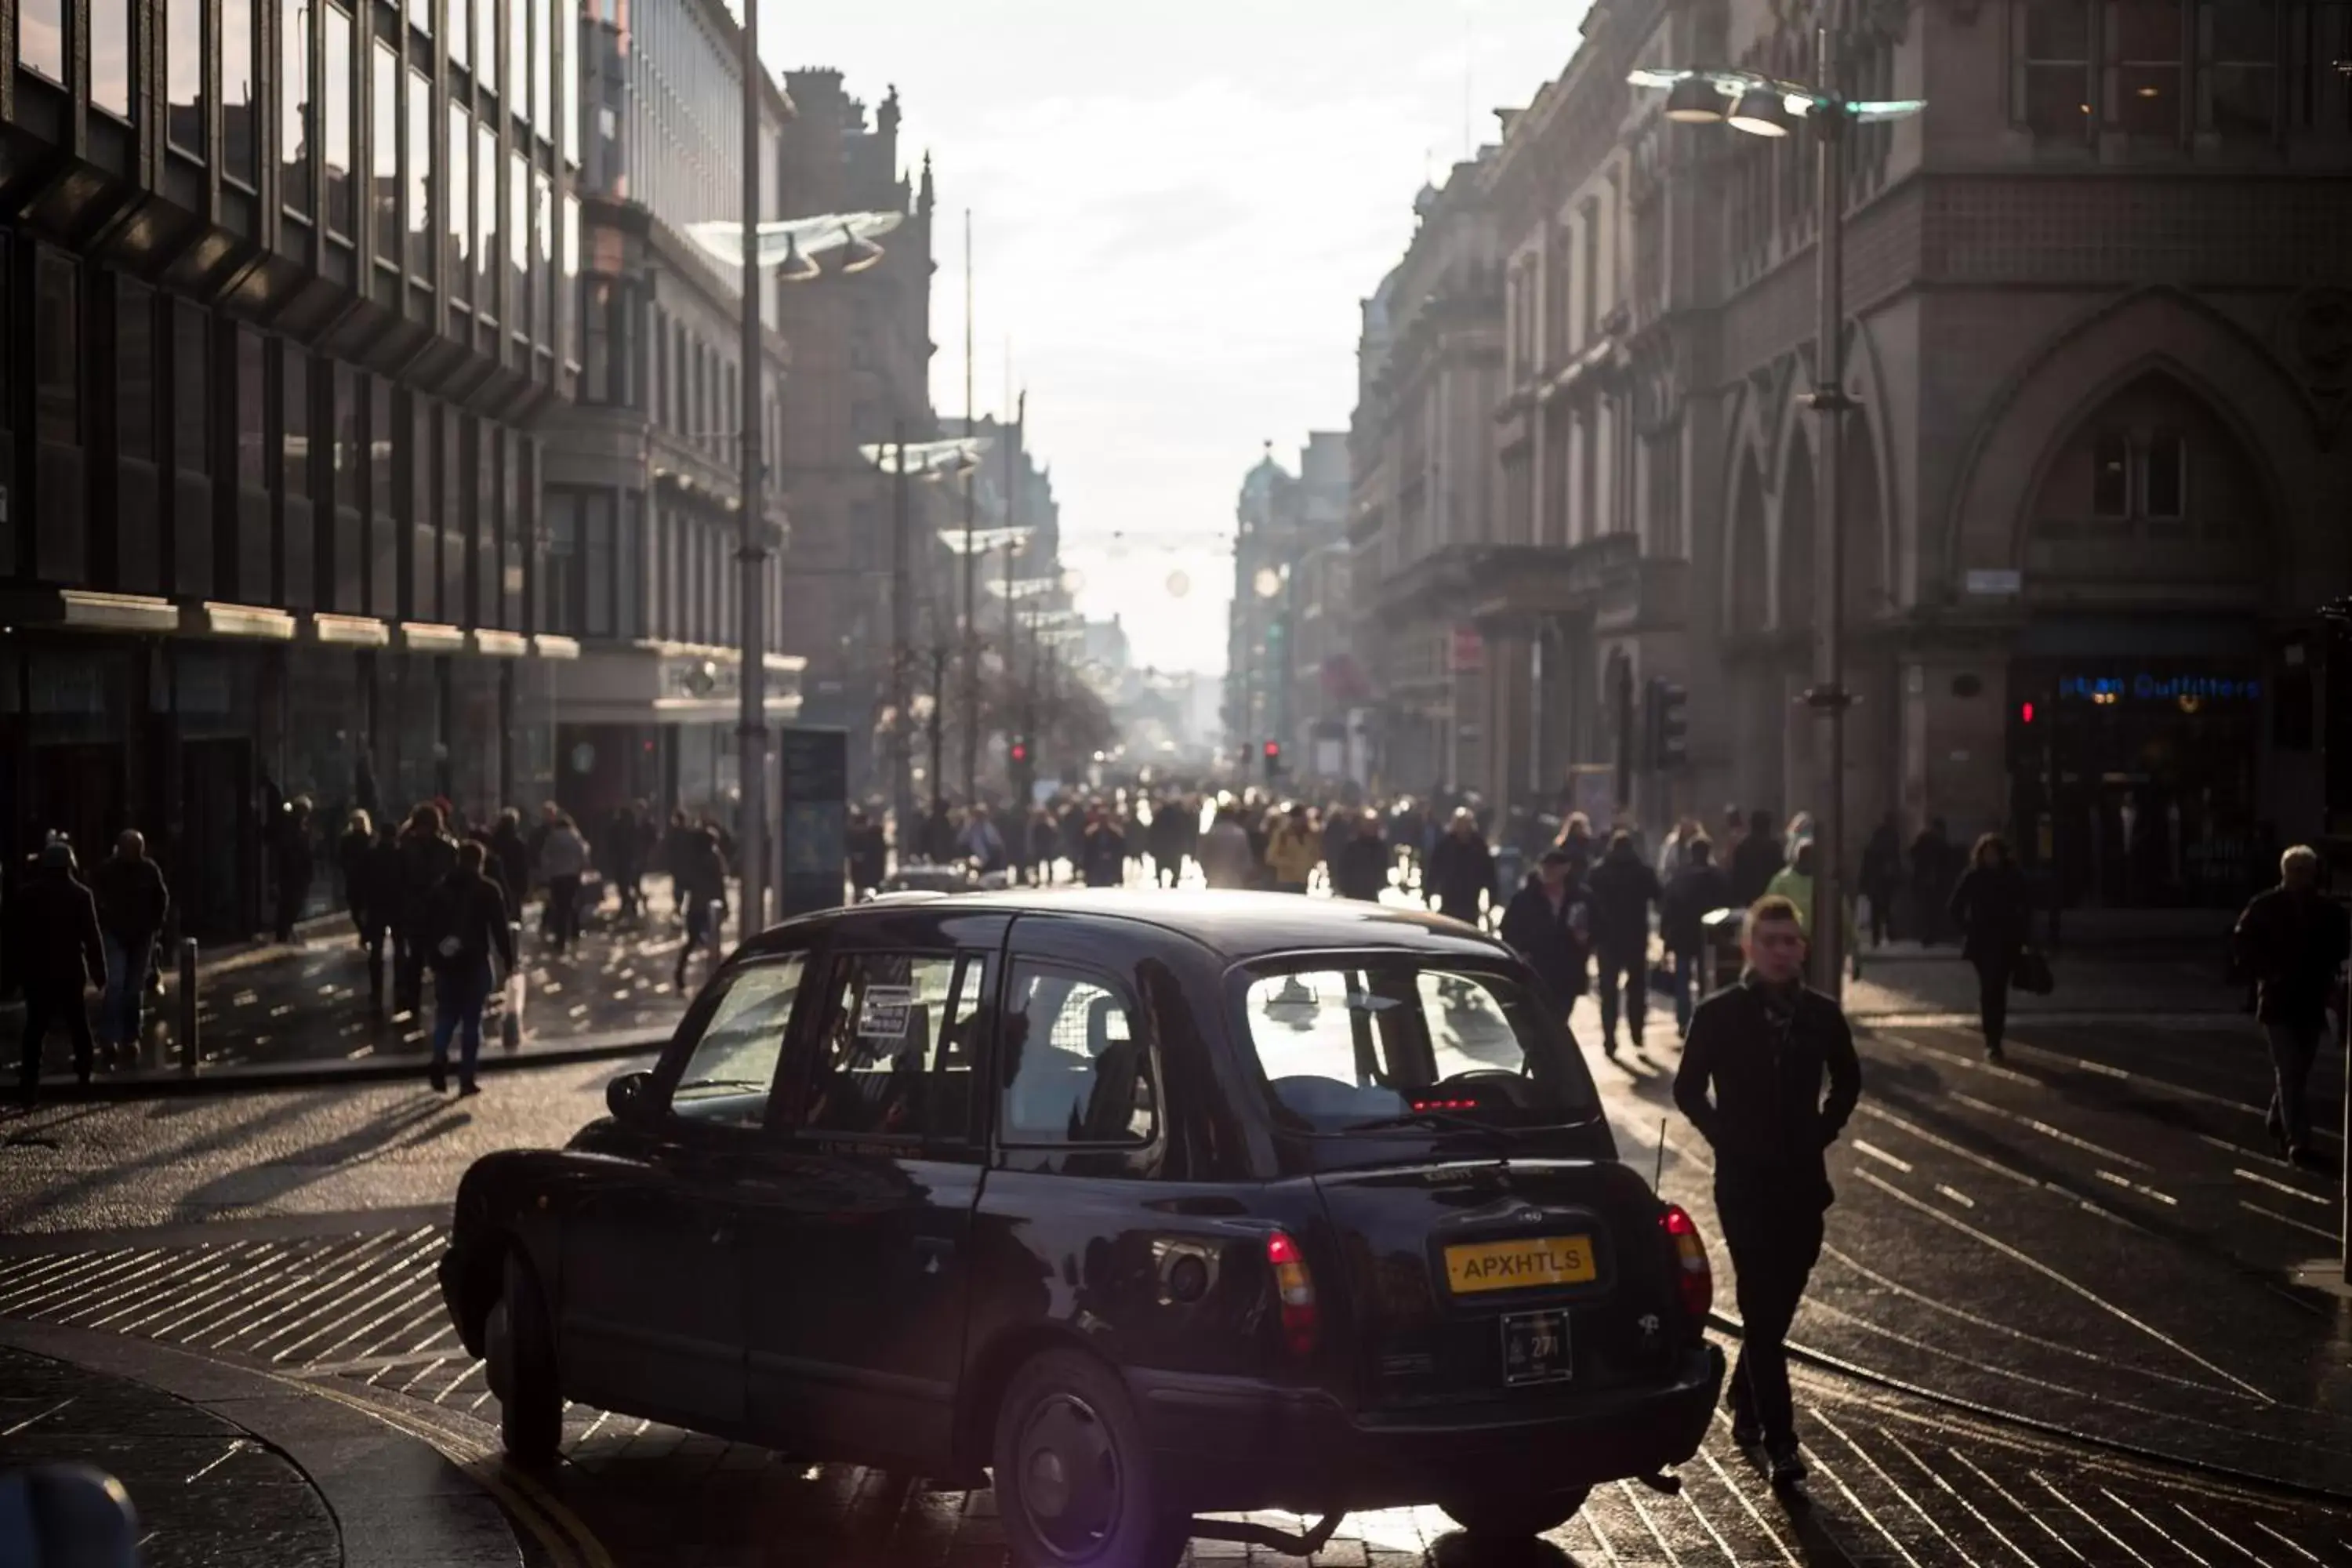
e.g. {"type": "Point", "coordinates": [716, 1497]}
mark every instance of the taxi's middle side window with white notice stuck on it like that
{"type": "Point", "coordinates": [900, 1047]}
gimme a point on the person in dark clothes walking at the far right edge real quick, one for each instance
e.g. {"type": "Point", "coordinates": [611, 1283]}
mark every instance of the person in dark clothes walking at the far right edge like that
{"type": "Point", "coordinates": [2292, 944]}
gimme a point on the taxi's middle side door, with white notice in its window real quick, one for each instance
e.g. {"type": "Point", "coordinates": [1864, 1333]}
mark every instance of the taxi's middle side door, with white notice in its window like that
{"type": "Point", "coordinates": [857, 1217]}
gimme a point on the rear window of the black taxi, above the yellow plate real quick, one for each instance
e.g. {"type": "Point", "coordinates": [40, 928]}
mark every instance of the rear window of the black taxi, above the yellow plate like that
{"type": "Point", "coordinates": [1398, 1045]}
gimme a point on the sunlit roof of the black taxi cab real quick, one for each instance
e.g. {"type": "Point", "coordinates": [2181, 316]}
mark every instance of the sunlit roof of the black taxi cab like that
{"type": "Point", "coordinates": [1236, 925]}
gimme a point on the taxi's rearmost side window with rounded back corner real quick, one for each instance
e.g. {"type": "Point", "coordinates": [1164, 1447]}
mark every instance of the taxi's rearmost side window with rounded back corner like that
{"type": "Point", "coordinates": [1074, 1064]}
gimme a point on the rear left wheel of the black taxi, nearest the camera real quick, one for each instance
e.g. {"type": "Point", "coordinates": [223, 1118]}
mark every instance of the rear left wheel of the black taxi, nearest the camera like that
{"type": "Point", "coordinates": [1067, 1419]}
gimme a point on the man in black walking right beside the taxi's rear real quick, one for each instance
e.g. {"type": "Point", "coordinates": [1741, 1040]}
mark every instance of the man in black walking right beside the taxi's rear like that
{"type": "Point", "coordinates": [1751, 1083]}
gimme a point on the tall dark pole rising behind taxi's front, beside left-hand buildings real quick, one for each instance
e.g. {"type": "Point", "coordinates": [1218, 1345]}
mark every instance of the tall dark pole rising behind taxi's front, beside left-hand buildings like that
{"type": "Point", "coordinates": [754, 554]}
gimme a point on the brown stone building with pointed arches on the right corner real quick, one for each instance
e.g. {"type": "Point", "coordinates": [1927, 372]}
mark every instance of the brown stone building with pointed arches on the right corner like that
{"type": "Point", "coordinates": [2099, 471]}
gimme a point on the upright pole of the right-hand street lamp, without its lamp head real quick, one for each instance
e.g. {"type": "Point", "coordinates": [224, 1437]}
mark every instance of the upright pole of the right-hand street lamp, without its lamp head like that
{"type": "Point", "coordinates": [1831, 403]}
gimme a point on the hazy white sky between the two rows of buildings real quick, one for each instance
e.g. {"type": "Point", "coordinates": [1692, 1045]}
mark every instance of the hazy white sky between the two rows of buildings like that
{"type": "Point", "coordinates": [1177, 215]}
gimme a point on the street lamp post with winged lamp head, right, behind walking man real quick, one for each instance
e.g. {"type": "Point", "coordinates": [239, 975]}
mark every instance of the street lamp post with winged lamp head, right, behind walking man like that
{"type": "Point", "coordinates": [1770, 107]}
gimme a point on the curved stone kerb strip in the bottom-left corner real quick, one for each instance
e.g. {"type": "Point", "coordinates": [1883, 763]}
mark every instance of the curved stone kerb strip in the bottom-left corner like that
{"type": "Point", "coordinates": [396, 1499]}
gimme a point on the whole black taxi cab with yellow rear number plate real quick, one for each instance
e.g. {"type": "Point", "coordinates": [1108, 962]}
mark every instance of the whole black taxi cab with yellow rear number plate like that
{"type": "Point", "coordinates": [1135, 1205]}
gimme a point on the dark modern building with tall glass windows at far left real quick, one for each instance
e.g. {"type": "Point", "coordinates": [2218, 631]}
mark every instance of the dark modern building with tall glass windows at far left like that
{"type": "Point", "coordinates": [290, 302]}
